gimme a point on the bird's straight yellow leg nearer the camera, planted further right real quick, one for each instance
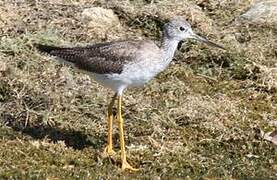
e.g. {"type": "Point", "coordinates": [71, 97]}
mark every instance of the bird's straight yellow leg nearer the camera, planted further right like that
{"type": "Point", "coordinates": [125, 164]}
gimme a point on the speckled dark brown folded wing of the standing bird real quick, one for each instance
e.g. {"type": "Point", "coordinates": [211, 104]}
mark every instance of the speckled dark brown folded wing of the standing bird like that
{"type": "Point", "coordinates": [102, 58]}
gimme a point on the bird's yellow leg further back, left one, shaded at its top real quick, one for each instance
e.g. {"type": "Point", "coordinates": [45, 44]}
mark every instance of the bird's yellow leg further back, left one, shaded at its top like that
{"type": "Point", "coordinates": [109, 149]}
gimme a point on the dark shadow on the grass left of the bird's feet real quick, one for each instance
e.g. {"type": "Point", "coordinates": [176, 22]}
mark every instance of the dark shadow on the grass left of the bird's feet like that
{"type": "Point", "coordinates": [72, 138]}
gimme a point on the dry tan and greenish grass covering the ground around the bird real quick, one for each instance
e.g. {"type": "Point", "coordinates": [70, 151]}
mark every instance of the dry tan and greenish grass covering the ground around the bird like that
{"type": "Point", "coordinates": [201, 118]}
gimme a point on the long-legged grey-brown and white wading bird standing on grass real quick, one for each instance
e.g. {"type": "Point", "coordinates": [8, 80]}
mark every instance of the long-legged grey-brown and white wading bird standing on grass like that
{"type": "Point", "coordinates": [121, 64]}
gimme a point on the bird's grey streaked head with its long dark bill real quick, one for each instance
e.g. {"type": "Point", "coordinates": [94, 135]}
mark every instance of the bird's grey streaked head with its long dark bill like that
{"type": "Point", "coordinates": [180, 30]}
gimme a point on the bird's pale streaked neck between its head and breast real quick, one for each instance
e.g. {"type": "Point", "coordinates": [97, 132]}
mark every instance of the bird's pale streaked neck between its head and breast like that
{"type": "Point", "coordinates": [168, 47]}
